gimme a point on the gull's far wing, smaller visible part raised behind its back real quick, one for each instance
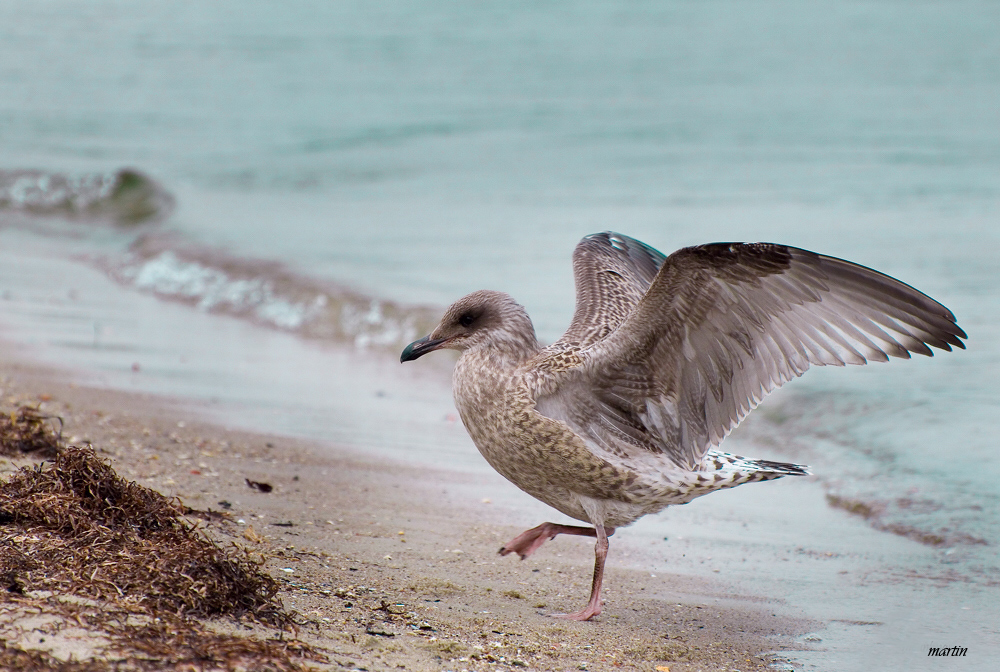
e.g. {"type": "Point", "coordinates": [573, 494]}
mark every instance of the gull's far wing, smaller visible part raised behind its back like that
{"type": "Point", "coordinates": [612, 273]}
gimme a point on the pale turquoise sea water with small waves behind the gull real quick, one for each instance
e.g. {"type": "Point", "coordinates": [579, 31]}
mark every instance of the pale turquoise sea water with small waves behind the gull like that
{"type": "Point", "coordinates": [257, 204]}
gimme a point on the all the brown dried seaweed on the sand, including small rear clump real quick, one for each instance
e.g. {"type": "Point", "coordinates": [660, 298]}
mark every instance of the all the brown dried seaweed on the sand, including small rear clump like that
{"type": "Point", "coordinates": [81, 543]}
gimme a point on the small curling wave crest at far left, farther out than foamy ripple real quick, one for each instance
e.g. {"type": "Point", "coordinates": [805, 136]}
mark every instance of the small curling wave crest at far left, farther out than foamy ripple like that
{"type": "Point", "coordinates": [123, 197]}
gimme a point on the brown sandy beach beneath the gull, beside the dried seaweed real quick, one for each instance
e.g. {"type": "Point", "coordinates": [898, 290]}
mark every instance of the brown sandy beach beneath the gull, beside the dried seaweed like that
{"type": "Point", "coordinates": [389, 566]}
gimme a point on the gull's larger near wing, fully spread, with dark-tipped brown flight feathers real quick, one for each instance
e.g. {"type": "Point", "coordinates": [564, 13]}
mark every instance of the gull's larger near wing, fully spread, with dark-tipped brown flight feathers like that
{"type": "Point", "coordinates": [723, 325]}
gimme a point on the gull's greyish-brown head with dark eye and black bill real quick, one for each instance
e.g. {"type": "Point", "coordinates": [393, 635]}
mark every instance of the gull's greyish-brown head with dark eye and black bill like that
{"type": "Point", "coordinates": [482, 320]}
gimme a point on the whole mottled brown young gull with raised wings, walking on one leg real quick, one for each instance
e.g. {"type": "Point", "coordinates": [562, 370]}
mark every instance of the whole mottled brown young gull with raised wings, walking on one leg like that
{"type": "Point", "coordinates": [621, 417]}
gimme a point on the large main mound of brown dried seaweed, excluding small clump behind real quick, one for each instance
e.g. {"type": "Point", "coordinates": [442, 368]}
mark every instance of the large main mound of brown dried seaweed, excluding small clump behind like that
{"type": "Point", "coordinates": [76, 515]}
